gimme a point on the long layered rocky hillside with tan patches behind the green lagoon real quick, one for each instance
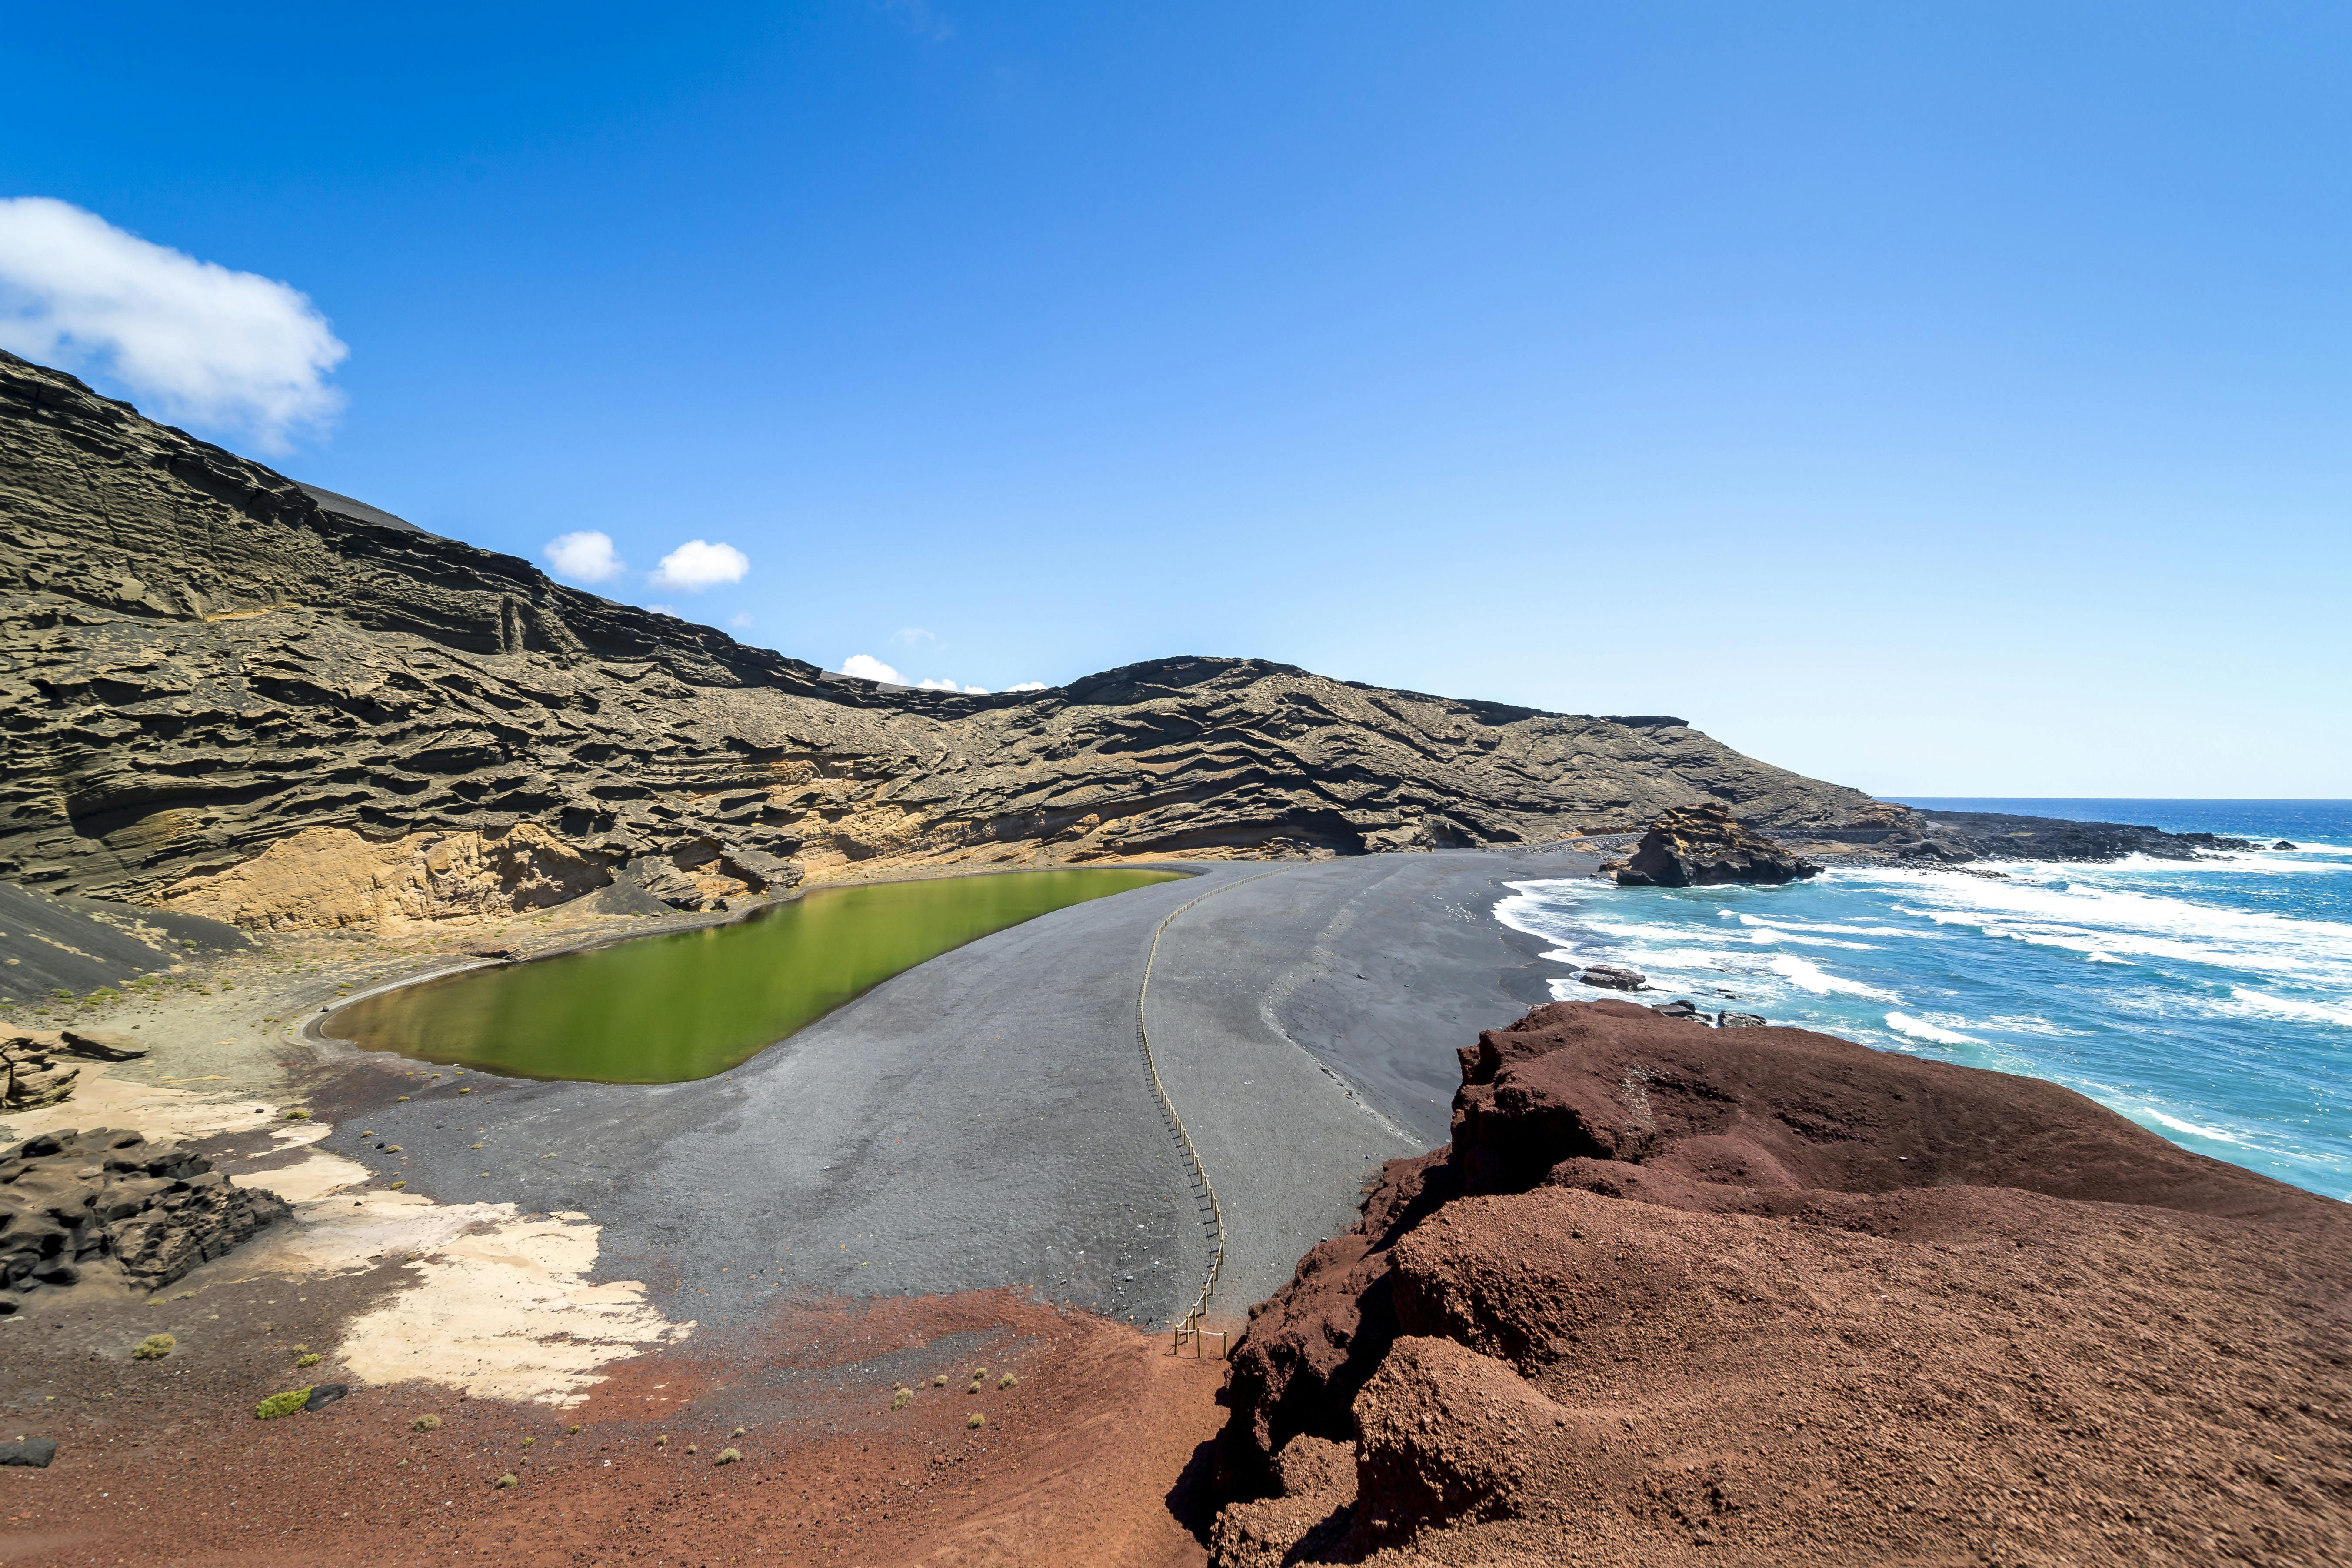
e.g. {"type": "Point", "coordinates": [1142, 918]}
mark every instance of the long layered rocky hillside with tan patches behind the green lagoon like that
{"type": "Point", "coordinates": [208, 664]}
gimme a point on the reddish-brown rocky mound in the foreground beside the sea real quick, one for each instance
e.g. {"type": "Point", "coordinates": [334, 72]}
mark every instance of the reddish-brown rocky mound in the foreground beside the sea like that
{"type": "Point", "coordinates": [1683, 1294]}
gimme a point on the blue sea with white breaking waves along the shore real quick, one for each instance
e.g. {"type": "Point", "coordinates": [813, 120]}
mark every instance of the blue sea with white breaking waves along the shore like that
{"type": "Point", "coordinates": [2207, 1000]}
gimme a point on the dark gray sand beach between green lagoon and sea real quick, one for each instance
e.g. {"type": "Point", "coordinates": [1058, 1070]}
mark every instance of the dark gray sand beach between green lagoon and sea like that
{"type": "Point", "coordinates": [984, 1120]}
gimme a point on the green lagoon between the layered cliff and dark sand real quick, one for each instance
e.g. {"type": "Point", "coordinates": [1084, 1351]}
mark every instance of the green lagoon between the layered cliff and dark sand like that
{"type": "Point", "coordinates": [660, 1010]}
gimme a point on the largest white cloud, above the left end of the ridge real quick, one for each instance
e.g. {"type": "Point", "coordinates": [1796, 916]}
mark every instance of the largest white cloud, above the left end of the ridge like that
{"type": "Point", "coordinates": [192, 337]}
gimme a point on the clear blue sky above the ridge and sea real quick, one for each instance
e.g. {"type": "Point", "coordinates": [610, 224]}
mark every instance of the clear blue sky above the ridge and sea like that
{"type": "Point", "coordinates": [1942, 401]}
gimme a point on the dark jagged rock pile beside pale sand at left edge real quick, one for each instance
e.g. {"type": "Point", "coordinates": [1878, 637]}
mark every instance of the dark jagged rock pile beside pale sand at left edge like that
{"type": "Point", "coordinates": [114, 1202]}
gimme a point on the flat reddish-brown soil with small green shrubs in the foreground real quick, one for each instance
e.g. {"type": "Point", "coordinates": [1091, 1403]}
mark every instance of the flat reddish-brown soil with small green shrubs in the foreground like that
{"type": "Point", "coordinates": [1083, 1461]}
